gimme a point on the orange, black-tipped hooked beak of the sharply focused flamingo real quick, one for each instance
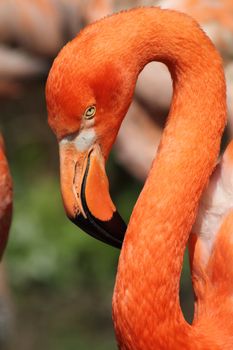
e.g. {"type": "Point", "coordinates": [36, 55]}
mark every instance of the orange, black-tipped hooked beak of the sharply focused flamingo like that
{"type": "Point", "coordinates": [85, 192]}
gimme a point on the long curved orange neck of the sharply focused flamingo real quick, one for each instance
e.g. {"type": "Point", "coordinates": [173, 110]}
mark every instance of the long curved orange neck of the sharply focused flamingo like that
{"type": "Point", "coordinates": [146, 308]}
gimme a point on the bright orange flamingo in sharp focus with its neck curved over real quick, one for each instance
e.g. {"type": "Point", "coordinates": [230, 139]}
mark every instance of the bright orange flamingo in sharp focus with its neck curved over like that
{"type": "Point", "coordinates": [89, 89]}
